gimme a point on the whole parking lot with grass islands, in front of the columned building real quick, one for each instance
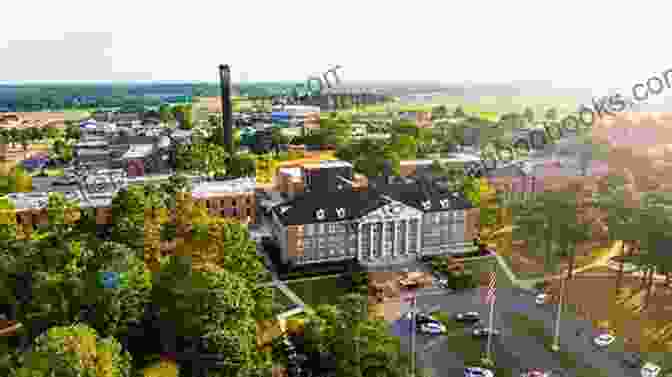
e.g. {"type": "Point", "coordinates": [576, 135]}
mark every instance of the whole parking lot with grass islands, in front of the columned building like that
{"type": "Point", "coordinates": [517, 348]}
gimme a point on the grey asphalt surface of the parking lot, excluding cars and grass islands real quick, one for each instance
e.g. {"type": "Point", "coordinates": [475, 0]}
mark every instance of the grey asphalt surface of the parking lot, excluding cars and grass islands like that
{"type": "Point", "coordinates": [513, 351]}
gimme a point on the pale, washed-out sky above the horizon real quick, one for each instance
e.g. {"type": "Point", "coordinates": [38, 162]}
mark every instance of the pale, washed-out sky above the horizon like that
{"type": "Point", "coordinates": [579, 44]}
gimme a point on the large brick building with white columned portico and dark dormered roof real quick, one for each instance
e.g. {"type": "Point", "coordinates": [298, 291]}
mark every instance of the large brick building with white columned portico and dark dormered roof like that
{"type": "Point", "coordinates": [391, 223]}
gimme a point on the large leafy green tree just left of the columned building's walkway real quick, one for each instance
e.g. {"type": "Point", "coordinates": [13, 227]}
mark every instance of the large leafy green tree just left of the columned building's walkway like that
{"type": "Point", "coordinates": [213, 303]}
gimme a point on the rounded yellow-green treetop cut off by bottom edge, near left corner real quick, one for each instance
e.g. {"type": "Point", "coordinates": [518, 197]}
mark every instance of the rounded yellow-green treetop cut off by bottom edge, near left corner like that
{"type": "Point", "coordinates": [73, 351]}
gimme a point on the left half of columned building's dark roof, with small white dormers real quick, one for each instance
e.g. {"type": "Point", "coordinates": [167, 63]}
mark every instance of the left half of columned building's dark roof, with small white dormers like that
{"type": "Point", "coordinates": [336, 205]}
